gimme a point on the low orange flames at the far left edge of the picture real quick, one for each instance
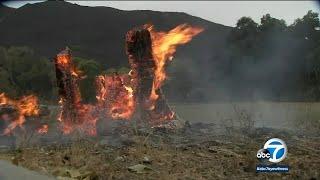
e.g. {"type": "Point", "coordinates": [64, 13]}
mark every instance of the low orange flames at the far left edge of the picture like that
{"type": "Point", "coordinates": [25, 106]}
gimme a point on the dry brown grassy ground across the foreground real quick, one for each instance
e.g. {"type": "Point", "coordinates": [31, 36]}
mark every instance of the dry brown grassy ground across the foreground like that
{"type": "Point", "coordinates": [207, 160]}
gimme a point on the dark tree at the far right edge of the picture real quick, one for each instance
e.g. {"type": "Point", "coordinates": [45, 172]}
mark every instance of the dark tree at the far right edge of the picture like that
{"type": "Point", "coordinates": [306, 30]}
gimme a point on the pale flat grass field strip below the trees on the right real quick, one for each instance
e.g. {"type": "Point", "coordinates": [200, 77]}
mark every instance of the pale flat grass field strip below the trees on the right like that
{"type": "Point", "coordinates": [265, 114]}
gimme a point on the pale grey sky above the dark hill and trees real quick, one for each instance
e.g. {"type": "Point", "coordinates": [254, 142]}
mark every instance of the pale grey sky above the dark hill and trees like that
{"type": "Point", "coordinates": [222, 12]}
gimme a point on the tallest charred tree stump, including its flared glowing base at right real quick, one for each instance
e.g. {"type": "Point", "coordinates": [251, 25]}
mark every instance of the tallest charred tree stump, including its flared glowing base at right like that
{"type": "Point", "coordinates": [139, 51]}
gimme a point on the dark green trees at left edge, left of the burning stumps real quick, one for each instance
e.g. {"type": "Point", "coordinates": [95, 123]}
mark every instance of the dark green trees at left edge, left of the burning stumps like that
{"type": "Point", "coordinates": [23, 72]}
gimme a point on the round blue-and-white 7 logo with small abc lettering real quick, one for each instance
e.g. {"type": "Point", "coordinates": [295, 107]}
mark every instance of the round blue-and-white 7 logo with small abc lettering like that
{"type": "Point", "coordinates": [274, 150]}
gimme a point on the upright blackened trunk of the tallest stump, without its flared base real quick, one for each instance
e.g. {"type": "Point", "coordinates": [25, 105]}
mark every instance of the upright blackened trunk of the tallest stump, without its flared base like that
{"type": "Point", "coordinates": [139, 51]}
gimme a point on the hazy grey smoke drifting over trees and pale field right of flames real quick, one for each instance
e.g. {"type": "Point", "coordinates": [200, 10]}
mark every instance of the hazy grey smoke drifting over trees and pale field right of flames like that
{"type": "Point", "coordinates": [206, 87]}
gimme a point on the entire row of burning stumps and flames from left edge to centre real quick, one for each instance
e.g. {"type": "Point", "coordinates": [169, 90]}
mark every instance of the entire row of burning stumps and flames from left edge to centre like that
{"type": "Point", "coordinates": [135, 96]}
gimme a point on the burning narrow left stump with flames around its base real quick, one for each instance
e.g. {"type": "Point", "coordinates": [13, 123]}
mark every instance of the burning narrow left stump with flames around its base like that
{"type": "Point", "coordinates": [74, 114]}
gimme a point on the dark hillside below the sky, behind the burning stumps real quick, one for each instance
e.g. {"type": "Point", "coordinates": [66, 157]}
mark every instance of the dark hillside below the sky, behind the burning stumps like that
{"type": "Point", "coordinates": [99, 32]}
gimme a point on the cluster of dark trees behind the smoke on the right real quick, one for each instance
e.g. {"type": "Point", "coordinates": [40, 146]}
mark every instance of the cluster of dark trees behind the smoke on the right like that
{"type": "Point", "coordinates": [284, 58]}
